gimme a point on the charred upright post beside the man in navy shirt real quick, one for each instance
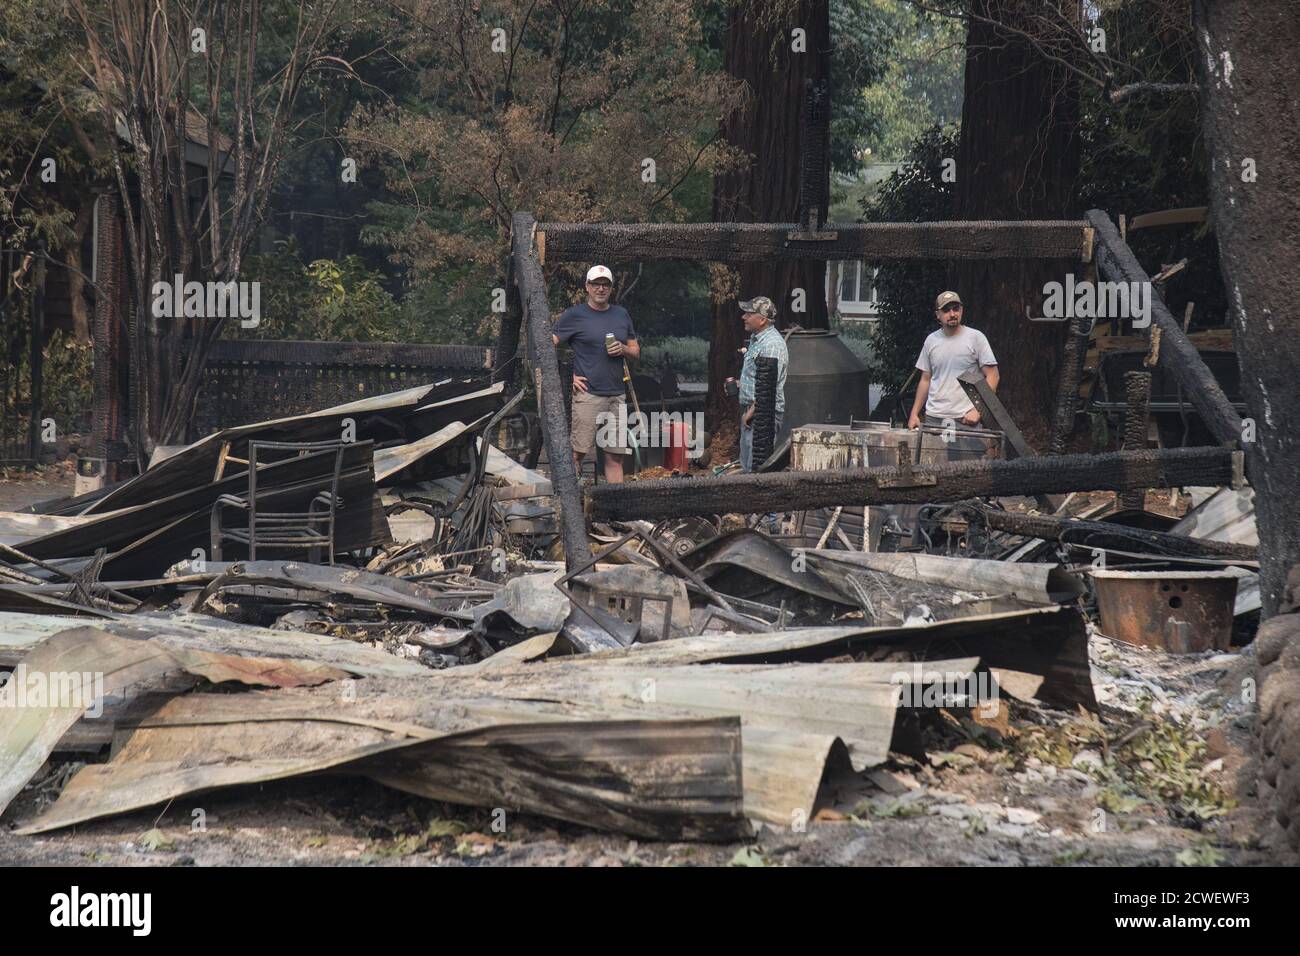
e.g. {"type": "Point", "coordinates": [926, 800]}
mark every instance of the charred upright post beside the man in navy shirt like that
{"type": "Point", "coordinates": [551, 399]}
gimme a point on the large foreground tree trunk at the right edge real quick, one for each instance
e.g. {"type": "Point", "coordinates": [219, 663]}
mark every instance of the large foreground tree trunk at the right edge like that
{"type": "Point", "coordinates": [1247, 75]}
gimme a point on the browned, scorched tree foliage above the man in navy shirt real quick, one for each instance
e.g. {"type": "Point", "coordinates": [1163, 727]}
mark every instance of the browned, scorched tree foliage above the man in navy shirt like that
{"type": "Point", "coordinates": [552, 109]}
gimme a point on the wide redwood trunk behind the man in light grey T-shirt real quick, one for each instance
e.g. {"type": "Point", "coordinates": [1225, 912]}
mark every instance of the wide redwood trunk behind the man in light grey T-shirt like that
{"type": "Point", "coordinates": [1019, 159]}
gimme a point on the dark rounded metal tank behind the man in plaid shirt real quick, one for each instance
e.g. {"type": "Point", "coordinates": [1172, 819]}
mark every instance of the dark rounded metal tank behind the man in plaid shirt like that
{"type": "Point", "coordinates": [826, 383]}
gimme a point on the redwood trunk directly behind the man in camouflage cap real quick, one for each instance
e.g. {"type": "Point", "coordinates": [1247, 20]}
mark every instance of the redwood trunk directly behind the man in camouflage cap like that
{"type": "Point", "coordinates": [759, 50]}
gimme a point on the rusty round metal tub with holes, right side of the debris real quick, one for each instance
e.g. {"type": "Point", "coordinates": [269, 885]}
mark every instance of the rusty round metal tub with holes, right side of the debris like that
{"type": "Point", "coordinates": [1181, 612]}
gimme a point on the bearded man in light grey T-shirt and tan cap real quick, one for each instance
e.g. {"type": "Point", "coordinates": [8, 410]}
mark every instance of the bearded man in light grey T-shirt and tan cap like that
{"type": "Point", "coordinates": [951, 352]}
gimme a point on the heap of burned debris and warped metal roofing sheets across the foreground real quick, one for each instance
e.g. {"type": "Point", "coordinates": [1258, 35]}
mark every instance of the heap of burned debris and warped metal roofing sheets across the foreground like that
{"type": "Point", "coordinates": [382, 590]}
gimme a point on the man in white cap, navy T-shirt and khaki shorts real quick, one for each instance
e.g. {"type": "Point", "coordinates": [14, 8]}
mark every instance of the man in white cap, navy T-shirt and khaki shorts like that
{"type": "Point", "coordinates": [601, 336]}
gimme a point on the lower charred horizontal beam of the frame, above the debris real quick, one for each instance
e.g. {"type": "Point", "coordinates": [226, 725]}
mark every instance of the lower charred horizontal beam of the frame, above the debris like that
{"type": "Point", "coordinates": [912, 486]}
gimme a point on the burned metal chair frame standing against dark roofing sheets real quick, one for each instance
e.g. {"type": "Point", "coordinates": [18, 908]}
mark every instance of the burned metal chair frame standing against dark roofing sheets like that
{"type": "Point", "coordinates": [310, 531]}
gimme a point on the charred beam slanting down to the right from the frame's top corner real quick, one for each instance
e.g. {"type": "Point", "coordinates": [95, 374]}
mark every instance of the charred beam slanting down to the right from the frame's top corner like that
{"type": "Point", "coordinates": [1178, 357]}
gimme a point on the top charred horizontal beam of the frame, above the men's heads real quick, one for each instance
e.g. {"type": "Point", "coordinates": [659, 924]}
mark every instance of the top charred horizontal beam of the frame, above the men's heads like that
{"type": "Point", "coordinates": [766, 243]}
